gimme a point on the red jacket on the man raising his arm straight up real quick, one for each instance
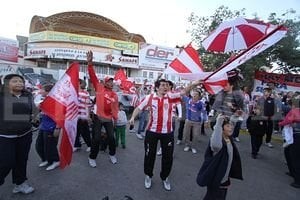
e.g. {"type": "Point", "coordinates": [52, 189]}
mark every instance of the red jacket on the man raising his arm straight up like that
{"type": "Point", "coordinates": [106, 99]}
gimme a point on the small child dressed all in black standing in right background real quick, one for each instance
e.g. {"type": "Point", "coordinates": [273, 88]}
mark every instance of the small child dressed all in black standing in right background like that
{"type": "Point", "coordinates": [256, 126]}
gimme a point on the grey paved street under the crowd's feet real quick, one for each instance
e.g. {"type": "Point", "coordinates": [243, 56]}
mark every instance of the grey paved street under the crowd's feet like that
{"type": "Point", "coordinates": [264, 178]}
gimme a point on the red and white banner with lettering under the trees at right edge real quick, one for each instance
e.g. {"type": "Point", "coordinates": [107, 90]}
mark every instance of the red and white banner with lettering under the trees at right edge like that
{"type": "Point", "coordinates": [282, 82]}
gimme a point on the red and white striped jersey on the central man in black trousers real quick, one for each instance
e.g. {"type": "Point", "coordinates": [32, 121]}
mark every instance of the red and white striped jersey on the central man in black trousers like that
{"type": "Point", "coordinates": [161, 111]}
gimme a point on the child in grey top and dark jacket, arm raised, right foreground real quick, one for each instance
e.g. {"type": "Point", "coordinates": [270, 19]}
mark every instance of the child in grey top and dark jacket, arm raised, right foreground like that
{"type": "Point", "coordinates": [222, 161]}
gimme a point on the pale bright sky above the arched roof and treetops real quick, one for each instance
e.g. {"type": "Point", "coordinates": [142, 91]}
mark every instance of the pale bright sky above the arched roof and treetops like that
{"type": "Point", "coordinates": [161, 22]}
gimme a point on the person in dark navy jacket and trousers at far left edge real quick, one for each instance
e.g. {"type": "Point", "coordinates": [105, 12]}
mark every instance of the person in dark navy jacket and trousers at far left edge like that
{"type": "Point", "coordinates": [16, 114]}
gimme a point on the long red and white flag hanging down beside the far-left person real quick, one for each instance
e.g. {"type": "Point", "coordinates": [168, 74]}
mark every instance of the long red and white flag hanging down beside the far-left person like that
{"type": "Point", "coordinates": [61, 105]}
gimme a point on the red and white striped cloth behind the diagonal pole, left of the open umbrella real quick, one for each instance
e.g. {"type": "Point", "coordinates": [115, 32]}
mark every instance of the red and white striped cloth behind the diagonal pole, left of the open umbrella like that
{"type": "Point", "coordinates": [188, 66]}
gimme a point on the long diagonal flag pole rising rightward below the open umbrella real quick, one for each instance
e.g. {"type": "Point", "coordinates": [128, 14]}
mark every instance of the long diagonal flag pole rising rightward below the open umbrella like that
{"type": "Point", "coordinates": [245, 51]}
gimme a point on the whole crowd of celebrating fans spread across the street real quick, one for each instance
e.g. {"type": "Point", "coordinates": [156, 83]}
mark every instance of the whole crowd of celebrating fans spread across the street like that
{"type": "Point", "coordinates": [102, 124]}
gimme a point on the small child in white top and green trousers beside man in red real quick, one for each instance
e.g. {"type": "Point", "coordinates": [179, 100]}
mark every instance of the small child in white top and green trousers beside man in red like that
{"type": "Point", "coordinates": [121, 126]}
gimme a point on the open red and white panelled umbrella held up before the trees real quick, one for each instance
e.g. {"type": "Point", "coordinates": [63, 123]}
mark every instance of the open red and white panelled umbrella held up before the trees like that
{"type": "Point", "coordinates": [235, 35]}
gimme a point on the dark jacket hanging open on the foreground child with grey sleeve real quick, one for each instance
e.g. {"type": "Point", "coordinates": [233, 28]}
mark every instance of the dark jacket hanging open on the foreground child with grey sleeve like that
{"type": "Point", "coordinates": [214, 167]}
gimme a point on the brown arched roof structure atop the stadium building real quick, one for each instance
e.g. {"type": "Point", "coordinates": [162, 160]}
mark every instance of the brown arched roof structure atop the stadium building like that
{"type": "Point", "coordinates": [83, 23]}
